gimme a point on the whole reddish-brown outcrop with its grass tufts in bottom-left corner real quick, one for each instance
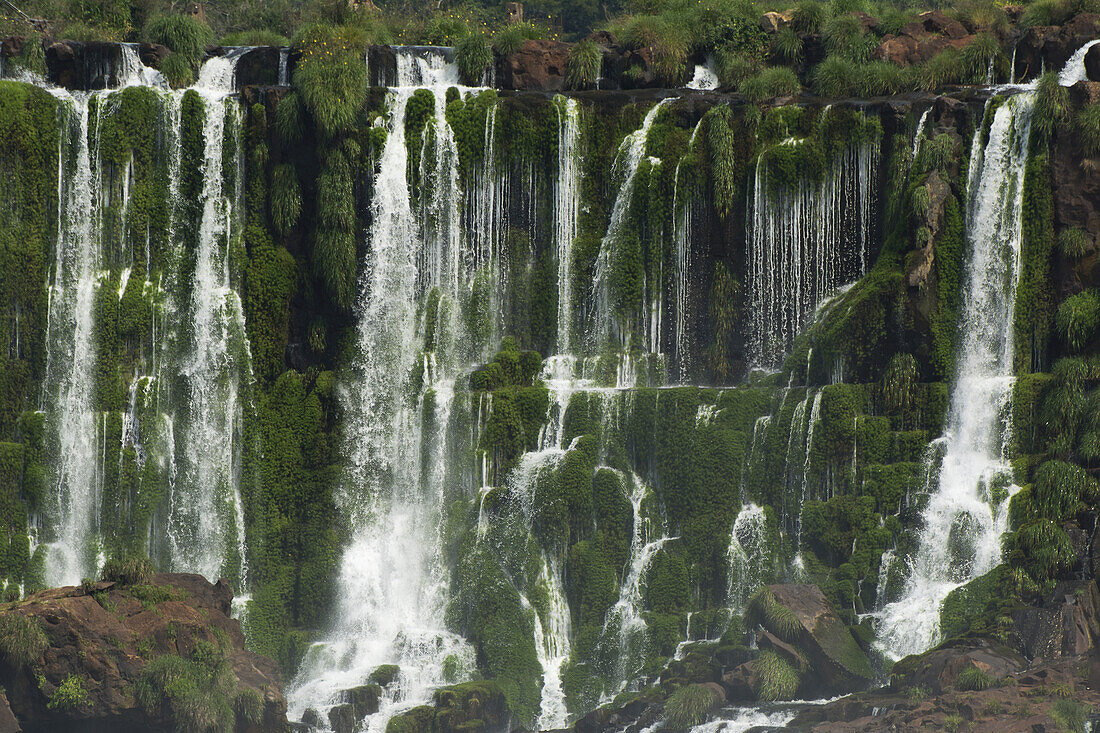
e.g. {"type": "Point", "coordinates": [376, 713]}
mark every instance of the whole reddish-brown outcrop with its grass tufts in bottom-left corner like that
{"type": "Point", "coordinates": [152, 657]}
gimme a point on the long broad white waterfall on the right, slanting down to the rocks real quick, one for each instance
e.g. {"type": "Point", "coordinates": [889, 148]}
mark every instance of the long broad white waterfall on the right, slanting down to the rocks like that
{"type": "Point", "coordinates": [967, 512]}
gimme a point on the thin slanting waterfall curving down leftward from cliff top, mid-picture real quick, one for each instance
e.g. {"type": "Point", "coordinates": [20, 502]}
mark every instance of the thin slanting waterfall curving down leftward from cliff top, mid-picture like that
{"type": "Point", "coordinates": [631, 152]}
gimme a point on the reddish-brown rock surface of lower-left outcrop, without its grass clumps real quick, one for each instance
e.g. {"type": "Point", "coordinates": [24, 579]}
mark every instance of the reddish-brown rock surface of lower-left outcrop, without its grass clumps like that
{"type": "Point", "coordinates": [102, 638]}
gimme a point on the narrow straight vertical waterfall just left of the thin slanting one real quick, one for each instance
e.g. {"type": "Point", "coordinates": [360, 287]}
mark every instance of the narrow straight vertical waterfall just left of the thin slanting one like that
{"type": "Point", "coordinates": [567, 196]}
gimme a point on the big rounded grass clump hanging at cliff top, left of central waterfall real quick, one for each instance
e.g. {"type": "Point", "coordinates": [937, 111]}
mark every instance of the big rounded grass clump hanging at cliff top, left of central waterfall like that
{"type": "Point", "coordinates": [331, 75]}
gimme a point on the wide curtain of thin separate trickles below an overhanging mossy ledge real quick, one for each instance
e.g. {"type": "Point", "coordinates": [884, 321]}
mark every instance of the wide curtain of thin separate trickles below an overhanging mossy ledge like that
{"type": "Point", "coordinates": [805, 242]}
